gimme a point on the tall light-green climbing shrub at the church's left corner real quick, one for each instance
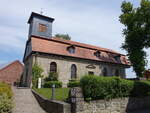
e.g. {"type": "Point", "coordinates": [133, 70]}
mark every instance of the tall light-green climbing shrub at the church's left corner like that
{"type": "Point", "coordinates": [36, 73]}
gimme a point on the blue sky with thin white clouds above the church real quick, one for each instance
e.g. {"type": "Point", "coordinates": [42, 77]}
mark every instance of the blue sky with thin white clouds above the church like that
{"type": "Point", "coordinates": [88, 21]}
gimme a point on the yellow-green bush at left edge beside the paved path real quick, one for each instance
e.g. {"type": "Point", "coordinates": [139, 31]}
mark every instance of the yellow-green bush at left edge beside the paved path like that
{"type": "Point", "coordinates": [6, 103]}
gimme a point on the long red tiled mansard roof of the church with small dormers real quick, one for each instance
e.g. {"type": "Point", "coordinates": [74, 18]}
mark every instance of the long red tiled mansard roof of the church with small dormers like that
{"type": "Point", "coordinates": [59, 47]}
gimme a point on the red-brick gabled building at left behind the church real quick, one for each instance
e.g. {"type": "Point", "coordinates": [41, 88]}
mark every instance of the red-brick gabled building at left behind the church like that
{"type": "Point", "coordinates": [11, 73]}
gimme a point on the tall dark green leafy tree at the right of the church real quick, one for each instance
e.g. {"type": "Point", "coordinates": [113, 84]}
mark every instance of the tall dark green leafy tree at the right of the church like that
{"type": "Point", "coordinates": [137, 33]}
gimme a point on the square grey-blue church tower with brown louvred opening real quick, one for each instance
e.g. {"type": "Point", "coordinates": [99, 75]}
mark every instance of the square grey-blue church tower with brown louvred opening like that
{"type": "Point", "coordinates": [40, 25]}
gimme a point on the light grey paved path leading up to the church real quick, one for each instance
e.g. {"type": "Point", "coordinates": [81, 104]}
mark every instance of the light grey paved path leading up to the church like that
{"type": "Point", "coordinates": [25, 102]}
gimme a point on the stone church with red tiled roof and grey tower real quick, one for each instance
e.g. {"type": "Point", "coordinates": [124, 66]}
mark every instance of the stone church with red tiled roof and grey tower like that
{"type": "Point", "coordinates": [70, 59]}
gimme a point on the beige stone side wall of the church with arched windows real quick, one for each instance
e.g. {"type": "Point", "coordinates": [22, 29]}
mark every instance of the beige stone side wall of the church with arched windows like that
{"type": "Point", "coordinates": [64, 67]}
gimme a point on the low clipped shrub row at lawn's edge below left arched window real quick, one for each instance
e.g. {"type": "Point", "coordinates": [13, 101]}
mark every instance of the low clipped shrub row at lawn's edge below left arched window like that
{"type": "Point", "coordinates": [49, 84]}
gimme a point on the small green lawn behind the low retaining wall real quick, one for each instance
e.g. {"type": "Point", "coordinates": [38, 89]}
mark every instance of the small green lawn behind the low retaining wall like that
{"type": "Point", "coordinates": [60, 93]}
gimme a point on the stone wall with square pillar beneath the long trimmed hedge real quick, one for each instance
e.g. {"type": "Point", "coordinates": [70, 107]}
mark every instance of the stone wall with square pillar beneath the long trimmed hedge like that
{"type": "Point", "coordinates": [121, 105]}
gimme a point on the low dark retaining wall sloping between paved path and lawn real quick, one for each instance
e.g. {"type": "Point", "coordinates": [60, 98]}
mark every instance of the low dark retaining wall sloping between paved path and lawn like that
{"type": "Point", "coordinates": [52, 106]}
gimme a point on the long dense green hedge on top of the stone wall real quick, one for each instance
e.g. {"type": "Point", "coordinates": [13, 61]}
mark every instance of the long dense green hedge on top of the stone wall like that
{"type": "Point", "coordinates": [98, 87]}
